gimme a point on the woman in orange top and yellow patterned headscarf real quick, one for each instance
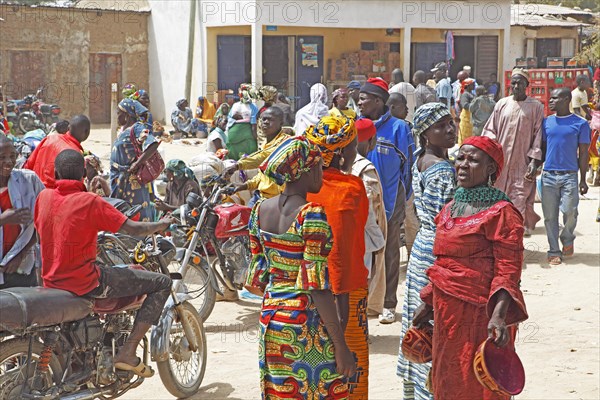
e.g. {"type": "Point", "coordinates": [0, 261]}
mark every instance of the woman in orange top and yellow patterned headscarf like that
{"type": "Point", "coordinates": [344, 198]}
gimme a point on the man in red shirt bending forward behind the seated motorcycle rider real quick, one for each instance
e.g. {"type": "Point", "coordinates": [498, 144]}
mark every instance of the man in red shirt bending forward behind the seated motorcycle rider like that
{"type": "Point", "coordinates": [41, 161]}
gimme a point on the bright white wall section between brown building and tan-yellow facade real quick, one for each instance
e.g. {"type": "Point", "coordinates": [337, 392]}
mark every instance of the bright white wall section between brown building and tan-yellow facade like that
{"type": "Point", "coordinates": [167, 54]}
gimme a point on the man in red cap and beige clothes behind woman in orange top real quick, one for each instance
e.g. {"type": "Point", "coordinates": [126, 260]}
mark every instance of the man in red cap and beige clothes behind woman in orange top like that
{"type": "Point", "coordinates": [376, 227]}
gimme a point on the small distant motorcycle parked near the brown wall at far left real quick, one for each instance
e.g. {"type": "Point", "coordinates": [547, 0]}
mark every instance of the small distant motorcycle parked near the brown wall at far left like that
{"type": "Point", "coordinates": [35, 114]}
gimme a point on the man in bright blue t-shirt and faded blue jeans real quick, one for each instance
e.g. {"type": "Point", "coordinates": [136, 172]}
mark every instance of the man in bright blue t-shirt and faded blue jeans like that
{"type": "Point", "coordinates": [565, 142]}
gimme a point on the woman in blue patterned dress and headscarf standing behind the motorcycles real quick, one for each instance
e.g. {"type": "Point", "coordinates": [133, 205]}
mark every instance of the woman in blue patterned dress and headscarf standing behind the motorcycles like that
{"type": "Point", "coordinates": [123, 160]}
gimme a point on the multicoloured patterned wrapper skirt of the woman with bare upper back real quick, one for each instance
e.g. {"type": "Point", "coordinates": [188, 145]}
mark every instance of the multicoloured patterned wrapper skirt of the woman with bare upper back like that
{"type": "Point", "coordinates": [296, 354]}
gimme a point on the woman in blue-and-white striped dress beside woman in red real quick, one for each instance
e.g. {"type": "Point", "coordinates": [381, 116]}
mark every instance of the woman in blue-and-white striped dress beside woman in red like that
{"type": "Point", "coordinates": [433, 183]}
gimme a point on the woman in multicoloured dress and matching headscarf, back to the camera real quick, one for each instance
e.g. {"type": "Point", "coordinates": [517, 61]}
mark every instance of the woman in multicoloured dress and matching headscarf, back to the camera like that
{"type": "Point", "coordinates": [302, 352]}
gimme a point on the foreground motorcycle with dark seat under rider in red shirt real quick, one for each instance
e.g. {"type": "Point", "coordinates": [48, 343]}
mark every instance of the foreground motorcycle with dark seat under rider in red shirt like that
{"type": "Point", "coordinates": [55, 345]}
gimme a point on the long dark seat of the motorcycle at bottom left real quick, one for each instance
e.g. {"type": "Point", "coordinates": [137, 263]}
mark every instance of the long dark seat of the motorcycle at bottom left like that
{"type": "Point", "coordinates": [20, 308]}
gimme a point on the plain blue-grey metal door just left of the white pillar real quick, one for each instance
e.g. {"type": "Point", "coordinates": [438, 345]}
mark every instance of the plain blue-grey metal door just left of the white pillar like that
{"type": "Point", "coordinates": [233, 61]}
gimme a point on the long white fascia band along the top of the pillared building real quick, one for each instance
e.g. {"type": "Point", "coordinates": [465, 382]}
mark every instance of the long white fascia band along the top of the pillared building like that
{"type": "Point", "coordinates": [483, 14]}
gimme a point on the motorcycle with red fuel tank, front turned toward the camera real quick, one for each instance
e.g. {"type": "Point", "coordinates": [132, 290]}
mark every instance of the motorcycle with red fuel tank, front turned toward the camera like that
{"type": "Point", "coordinates": [216, 242]}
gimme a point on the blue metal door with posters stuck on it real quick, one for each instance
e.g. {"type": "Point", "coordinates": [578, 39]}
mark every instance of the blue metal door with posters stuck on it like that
{"type": "Point", "coordinates": [309, 66]}
